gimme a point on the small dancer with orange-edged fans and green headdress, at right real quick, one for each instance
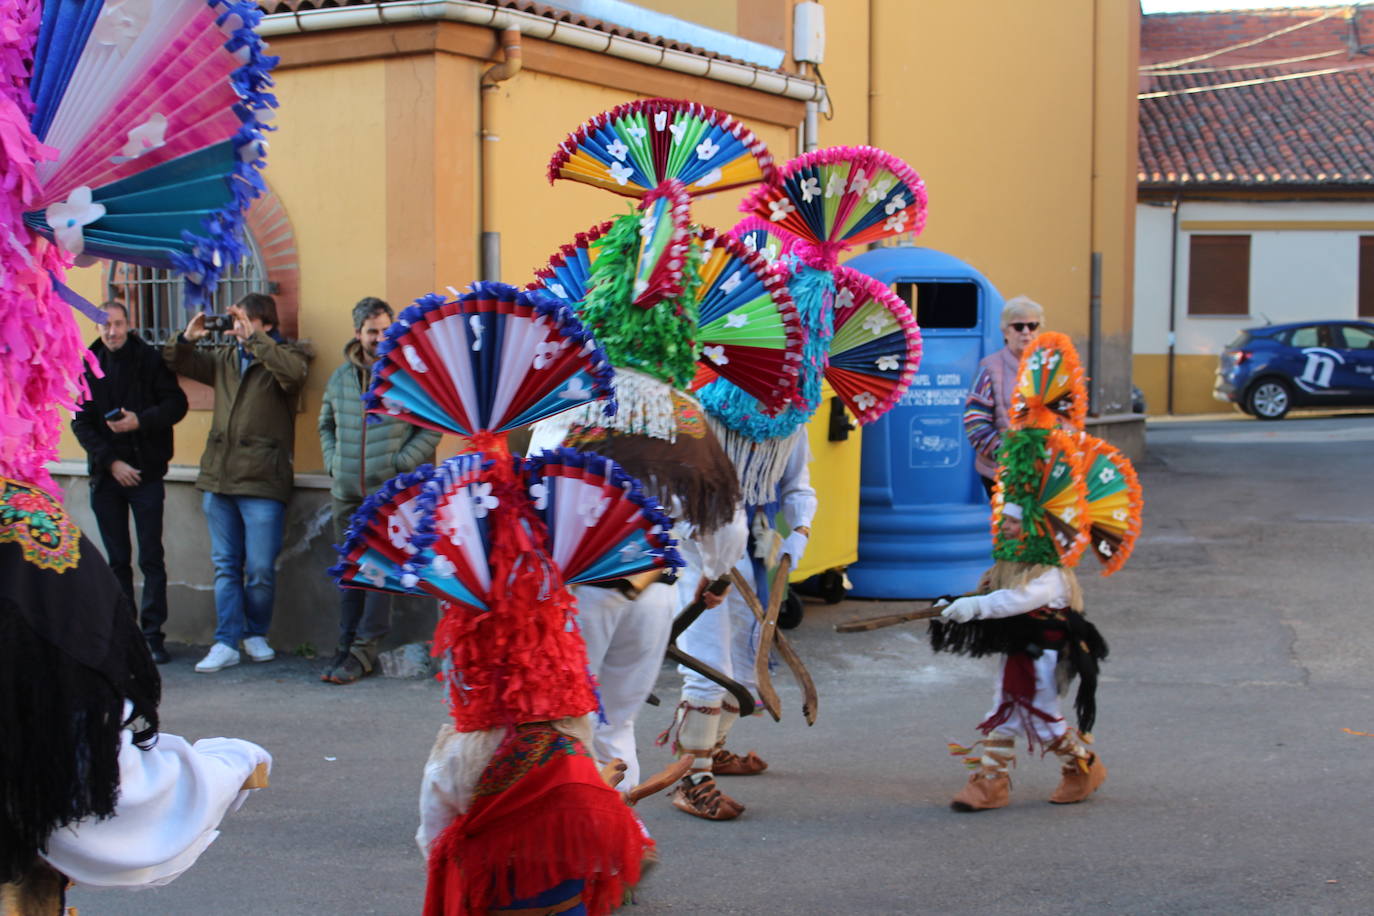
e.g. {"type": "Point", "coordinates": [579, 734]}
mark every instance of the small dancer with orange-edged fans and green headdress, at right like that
{"type": "Point", "coordinates": [1059, 494]}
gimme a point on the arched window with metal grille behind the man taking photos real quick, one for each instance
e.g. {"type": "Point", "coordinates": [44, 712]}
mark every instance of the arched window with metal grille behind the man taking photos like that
{"type": "Point", "coordinates": [153, 296]}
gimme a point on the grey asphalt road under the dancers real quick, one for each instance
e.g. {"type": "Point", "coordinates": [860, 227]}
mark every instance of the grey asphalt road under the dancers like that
{"type": "Point", "coordinates": [1241, 654]}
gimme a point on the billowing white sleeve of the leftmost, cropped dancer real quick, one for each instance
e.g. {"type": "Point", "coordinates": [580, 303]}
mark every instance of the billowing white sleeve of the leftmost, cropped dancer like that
{"type": "Point", "coordinates": [172, 800]}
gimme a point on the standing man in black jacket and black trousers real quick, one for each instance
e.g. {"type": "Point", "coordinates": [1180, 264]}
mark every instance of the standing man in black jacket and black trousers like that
{"type": "Point", "coordinates": [127, 432]}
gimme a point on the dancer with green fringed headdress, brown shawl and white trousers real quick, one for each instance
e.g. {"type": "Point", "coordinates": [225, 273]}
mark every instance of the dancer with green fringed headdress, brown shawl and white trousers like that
{"type": "Point", "coordinates": [663, 301]}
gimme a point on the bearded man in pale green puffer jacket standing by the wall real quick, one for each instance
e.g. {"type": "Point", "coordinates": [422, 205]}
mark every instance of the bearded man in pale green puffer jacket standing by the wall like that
{"type": "Point", "coordinates": [392, 447]}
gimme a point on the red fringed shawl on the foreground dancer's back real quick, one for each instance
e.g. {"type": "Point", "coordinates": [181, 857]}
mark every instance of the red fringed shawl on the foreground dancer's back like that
{"type": "Point", "coordinates": [541, 815]}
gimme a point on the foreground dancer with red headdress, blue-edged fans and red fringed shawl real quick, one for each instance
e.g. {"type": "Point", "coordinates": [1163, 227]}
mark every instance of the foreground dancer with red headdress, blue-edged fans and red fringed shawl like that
{"type": "Point", "coordinates": [515, 812]}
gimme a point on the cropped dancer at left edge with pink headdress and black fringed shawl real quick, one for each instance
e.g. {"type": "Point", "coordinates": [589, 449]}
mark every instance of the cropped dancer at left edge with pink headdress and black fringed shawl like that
{"type": "Point", "coordinates": [90, 792]}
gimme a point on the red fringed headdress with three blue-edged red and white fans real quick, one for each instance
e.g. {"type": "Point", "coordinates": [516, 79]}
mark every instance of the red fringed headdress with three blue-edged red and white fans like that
{"type": "Point", "coordinates": [494, 536]}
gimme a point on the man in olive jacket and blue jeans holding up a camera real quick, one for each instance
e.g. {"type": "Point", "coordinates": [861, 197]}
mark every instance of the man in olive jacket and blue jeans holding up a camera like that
{"type": "Point", "coordinates": [247, 472]}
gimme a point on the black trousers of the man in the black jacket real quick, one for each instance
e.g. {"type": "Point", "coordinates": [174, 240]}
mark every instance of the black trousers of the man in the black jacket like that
{"type": "Point", "coordinates": [112, 506]}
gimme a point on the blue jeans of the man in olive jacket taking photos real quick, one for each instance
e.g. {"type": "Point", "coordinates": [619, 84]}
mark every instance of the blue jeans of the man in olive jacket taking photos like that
{"type": "Point", "coordinates": [245, 539]}
